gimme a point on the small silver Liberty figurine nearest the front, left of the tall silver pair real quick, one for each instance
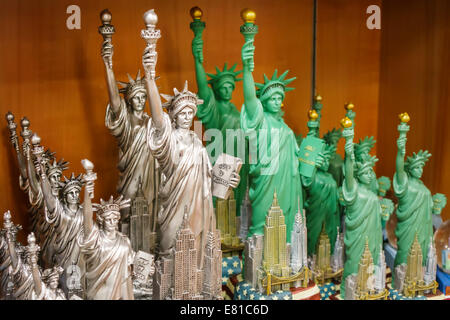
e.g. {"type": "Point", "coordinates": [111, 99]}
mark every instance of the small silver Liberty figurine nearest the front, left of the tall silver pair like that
{"type": "Point", "coordinates": [106, 251]}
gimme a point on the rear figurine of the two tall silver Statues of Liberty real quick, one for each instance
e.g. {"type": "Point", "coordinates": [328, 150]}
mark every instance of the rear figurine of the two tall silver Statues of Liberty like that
{"type": "Point", "coordinates": [128, 122]}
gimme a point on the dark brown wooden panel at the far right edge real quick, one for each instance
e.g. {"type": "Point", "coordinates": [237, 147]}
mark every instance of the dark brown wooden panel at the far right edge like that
{"type": "Point", "coordinates": [415, 64]}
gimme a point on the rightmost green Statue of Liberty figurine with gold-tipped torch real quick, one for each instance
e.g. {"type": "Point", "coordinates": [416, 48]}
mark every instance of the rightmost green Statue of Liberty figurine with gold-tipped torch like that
{"type": "Point", "coordinates": [415, 203]}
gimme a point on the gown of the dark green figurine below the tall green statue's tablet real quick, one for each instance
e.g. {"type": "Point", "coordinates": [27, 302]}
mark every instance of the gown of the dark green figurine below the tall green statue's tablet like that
{"type": "Point", "coordinates": [321, 206]}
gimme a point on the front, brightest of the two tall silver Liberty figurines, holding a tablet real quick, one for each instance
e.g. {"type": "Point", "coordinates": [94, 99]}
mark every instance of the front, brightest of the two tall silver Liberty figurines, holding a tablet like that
{"type": "Point", "coordinates": [184, 161]}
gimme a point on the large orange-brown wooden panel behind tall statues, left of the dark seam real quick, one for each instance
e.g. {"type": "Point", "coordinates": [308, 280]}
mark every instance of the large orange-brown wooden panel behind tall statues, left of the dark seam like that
{"type": "Point", "coordinates": [55, 76]}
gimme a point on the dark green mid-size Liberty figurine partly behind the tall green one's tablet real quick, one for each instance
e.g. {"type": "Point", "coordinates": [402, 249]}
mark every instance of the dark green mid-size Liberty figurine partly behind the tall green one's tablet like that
{"type": "Point", "coordinates": [321, 201]}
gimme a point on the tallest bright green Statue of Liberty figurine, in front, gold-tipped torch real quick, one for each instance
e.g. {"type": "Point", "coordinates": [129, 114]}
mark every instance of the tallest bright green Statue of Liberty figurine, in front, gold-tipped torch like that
{"type": "Point", "coordinates": [276, 166]}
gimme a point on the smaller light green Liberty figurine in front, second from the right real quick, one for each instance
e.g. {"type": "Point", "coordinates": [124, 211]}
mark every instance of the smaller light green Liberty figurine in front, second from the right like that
{"type": "Point", "coordinates": [363, 207]}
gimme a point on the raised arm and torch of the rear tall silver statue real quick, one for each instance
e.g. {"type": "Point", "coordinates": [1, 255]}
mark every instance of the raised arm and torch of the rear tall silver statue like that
{"type": "Point", "coordinates": [107, 30]}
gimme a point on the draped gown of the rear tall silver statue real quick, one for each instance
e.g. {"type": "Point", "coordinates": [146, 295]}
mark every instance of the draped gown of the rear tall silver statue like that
{"type": "Point", "coordinates": [135, 159]}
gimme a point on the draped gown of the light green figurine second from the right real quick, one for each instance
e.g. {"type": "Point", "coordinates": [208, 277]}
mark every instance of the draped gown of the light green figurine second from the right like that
{"type": "Point", "coordinates": [362, 222]}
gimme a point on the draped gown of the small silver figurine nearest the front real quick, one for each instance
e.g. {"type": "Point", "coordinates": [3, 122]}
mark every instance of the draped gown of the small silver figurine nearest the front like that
{"type": "Point", "coordinates": [108, 265]}
